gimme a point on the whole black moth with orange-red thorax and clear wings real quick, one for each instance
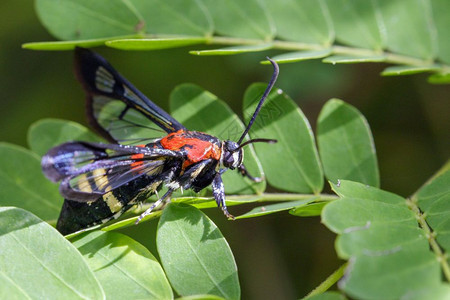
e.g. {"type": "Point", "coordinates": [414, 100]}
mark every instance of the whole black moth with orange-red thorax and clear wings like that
{"type": "Point", "coordinates": [101, 181]}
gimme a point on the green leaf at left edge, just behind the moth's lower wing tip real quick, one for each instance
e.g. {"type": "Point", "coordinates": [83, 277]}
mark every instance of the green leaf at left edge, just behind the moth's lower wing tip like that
{"type": "Point", "coordinates": [23, 185]}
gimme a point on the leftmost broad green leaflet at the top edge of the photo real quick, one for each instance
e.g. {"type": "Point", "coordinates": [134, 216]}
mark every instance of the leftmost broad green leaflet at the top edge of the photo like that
{"type": "Point", "coordinates": [85, 19]}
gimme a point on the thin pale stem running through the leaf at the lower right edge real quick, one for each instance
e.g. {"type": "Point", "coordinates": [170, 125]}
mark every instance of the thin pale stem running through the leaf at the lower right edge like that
{"type": "Point", "coordinates": [442, 257]}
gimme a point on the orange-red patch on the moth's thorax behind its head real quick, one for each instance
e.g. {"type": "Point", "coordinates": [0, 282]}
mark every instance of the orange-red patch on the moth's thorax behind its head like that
{"type": "Point", "coordinates": [198, 149]}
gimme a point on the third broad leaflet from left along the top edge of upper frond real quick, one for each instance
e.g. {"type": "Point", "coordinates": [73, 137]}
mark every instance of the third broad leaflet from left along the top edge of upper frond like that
{"type": "Point", "coordinates": [244, 19]}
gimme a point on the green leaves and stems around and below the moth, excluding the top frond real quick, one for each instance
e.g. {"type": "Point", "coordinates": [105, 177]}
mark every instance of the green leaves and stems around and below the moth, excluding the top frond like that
{"type": "Point", "coordinates": [384, 236]}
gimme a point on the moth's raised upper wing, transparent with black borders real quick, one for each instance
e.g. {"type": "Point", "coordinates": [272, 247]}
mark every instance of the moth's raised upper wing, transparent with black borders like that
{"type": "Point", "coordinates": [115, 108]}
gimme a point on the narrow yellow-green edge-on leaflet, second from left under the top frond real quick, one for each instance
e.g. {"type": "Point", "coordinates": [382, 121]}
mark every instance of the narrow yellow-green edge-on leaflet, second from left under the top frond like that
{"type": "Point", "coordinates": [155, 43]}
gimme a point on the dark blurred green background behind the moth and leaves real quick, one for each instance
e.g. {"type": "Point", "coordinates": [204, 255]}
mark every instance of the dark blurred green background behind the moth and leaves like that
{"type": "Point", "coordinates": [279, 255]}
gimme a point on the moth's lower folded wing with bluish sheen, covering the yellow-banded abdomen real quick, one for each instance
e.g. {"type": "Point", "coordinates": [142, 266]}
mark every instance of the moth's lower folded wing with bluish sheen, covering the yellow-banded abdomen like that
{"type": "Point", "coordinates": [89, 170]}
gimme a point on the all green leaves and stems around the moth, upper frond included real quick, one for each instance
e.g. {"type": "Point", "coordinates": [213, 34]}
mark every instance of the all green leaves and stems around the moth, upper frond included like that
{"type": "Point", "coordinates": [396, 247]}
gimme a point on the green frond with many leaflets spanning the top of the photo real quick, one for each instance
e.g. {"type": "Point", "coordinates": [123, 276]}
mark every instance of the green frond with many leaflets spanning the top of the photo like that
{"type": "Point", "coordinates": [411, 34]}
